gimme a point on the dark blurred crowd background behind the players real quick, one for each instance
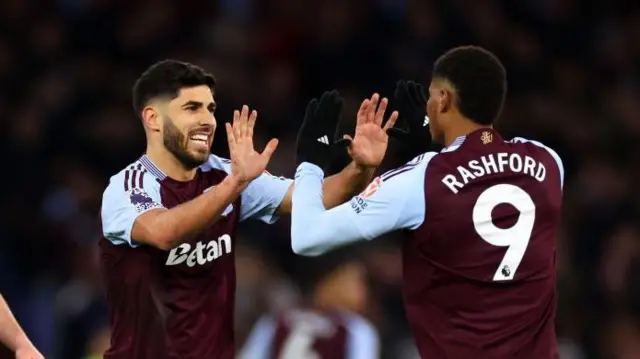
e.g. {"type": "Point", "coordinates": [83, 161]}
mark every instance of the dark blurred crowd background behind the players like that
{"type": "Point", "coordinates": [66, 126]}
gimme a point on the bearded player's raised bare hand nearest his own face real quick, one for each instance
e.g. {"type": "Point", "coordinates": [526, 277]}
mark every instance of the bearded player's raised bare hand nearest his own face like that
{"type": "Point", "coordinates": [246, 163]}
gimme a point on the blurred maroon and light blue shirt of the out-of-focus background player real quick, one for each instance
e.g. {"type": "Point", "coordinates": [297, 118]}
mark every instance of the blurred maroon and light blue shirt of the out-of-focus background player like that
{"type": "Point", "coordinates": [301, 334]}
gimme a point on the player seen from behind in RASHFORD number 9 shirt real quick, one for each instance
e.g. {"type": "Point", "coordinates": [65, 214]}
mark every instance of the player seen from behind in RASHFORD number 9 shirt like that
{"type": "Point", "coordinates": [482, 216]}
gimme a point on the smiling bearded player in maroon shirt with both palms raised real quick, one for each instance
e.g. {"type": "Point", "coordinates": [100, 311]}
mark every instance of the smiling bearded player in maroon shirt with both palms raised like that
{"type": "Point", "coordinates": [169, 219]}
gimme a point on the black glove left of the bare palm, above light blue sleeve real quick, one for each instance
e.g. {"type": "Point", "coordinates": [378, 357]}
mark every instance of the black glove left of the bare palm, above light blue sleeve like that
{"type": "Point", "coordinates": [316, 140]}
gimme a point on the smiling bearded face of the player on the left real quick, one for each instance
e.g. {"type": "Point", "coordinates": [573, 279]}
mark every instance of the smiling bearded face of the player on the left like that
{"type": "Point", "coordinates": [189, 124]}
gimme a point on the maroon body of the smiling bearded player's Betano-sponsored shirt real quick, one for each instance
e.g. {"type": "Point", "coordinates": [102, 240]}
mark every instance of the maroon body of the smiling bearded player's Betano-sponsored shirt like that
{"type": "Point", "coordinates": [177, 304]}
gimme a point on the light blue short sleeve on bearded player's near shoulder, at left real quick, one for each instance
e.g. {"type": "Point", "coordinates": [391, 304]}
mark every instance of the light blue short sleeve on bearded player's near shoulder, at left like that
{"type": "Point", "coordinates": [127, 196]}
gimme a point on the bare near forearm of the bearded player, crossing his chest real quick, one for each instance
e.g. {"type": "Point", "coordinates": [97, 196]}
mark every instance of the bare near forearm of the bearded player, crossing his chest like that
{"type": "Point", "coordinates": [179, 224]}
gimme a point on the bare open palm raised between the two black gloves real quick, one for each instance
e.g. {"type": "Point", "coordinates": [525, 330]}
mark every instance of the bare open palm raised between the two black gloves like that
{"type": "Point", "coordinates": [369, 144]}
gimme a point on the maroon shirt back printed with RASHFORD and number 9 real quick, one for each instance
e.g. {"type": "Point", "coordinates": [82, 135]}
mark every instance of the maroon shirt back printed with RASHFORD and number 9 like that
{"type": "Point", "coordinates": [479, 273]}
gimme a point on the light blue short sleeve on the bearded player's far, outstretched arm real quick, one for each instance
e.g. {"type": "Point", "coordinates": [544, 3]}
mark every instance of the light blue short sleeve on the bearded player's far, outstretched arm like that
{"type": "Point", "coordinates": [263, 195]}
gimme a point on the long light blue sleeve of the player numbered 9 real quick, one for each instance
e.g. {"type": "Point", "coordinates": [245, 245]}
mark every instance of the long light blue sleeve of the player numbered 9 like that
{"type": "Point", "coordinates": [392, 201]}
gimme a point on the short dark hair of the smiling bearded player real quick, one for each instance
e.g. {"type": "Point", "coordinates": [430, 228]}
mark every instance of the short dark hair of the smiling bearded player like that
{"type": "Point", "coordinates": [165, 79]}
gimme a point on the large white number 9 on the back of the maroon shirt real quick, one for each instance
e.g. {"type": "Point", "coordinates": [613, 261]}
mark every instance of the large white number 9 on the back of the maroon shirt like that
{"type": "Point", "coordinates": [517, 237]}
